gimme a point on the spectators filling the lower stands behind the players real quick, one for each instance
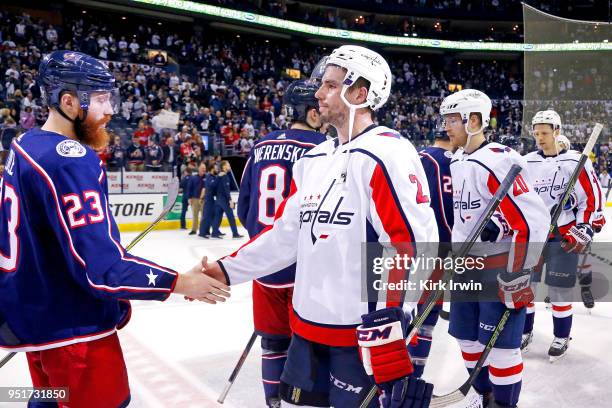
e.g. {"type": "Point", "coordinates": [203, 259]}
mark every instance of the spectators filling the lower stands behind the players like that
{"type": "Point", "coordinates": [226, 91]}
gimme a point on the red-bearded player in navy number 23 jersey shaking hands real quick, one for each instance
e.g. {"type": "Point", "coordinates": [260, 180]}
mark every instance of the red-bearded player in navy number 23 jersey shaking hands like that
{"type": "Point", "coordinates": [65, 279]}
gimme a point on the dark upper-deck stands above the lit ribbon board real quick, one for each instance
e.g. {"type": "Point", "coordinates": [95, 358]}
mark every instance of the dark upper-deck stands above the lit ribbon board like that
{"type": "Point", "coordinates": [365, 15]}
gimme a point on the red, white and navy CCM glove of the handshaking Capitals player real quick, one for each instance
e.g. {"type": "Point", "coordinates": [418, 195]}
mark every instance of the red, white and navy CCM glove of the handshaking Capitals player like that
{"type": "Point", "coordinates": [382, 346]}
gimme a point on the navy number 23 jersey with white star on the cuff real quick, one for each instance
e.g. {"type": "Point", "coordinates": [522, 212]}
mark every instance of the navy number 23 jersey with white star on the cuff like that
{"type": "Point", "coordinates": [64, 276]}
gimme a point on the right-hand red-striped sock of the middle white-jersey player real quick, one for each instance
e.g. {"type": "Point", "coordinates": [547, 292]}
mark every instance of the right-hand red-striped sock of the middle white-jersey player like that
{"type": "Point", "coordinates": [506, 373]}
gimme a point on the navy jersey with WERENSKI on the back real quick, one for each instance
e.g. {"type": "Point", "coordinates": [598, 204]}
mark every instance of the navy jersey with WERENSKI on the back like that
{"type": "Point", "coordinates": [266, 183]}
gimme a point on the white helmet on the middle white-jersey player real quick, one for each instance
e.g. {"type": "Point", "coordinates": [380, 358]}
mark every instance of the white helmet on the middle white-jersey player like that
{"type": "Point", "coordinates": [466, 102]}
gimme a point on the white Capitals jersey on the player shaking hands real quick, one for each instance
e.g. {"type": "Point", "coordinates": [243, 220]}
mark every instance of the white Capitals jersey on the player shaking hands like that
{"type": "Point", "coordinates": [324, 223]}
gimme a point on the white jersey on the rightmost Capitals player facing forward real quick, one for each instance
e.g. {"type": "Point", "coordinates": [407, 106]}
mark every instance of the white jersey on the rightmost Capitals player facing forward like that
{"type": "Point", "coordinates": [550, 175]}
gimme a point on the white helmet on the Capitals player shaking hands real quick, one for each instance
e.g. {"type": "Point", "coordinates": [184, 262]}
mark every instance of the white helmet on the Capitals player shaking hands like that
{"type": "Point", "coordinates": [370, 65]}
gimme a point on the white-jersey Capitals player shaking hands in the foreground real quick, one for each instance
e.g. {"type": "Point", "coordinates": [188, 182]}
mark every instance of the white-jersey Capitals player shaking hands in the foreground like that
{"type": "Point", "coordinates": [368, 185]}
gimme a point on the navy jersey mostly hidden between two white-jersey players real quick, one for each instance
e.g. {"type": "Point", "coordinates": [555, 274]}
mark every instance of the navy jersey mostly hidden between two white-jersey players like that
{"type": "Point", "coordinates": [436, 162]}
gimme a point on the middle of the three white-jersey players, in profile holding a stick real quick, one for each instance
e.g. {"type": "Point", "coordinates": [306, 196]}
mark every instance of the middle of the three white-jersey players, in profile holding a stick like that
{"type": "Point", "coordinates": [477, 169]}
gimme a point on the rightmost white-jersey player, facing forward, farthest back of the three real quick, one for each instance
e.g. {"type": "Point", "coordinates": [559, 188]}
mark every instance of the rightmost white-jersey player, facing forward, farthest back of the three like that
{"type": "Point", "coordinates": [551, 166]}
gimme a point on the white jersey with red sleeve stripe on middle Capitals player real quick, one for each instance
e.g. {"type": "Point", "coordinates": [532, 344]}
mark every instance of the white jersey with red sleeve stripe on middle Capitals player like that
{"type": "Point", "coordinates": [476, 177]}
